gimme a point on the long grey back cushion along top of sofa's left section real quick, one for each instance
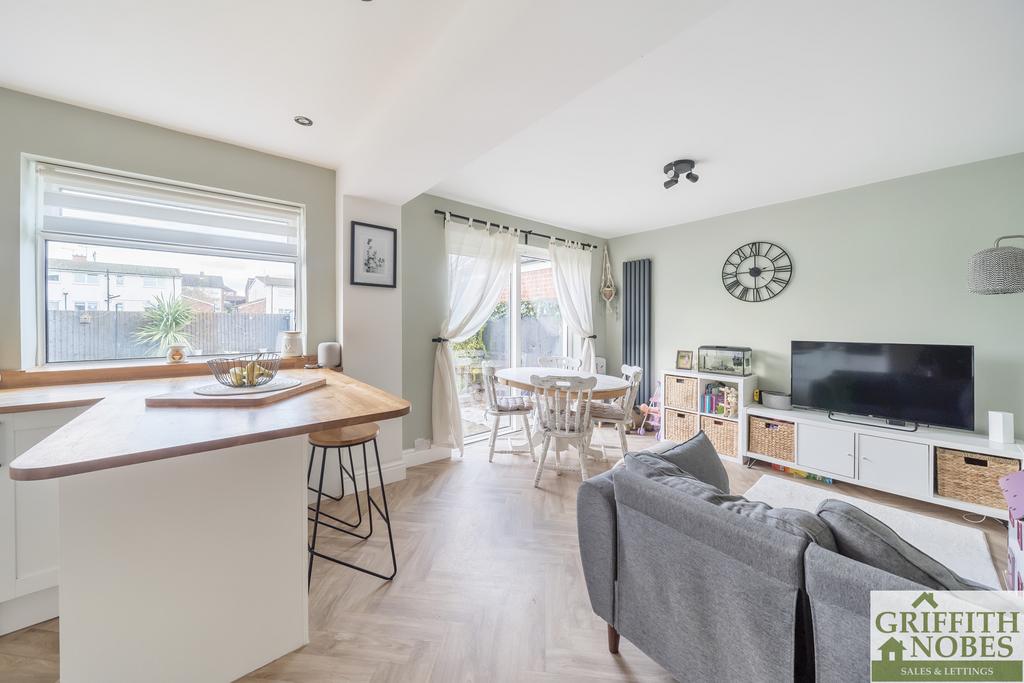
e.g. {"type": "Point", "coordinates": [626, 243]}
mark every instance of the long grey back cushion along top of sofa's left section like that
{"type": "Point", "coordinates": [797, 523]}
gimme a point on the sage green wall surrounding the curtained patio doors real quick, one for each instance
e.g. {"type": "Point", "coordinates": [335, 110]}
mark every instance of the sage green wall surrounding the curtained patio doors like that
{"type": "Point", "coordinates": [424, 277]}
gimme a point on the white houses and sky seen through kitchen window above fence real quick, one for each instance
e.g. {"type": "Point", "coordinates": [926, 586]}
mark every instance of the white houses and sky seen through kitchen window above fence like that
{"type": "Point", "coordinates": [83, 285]}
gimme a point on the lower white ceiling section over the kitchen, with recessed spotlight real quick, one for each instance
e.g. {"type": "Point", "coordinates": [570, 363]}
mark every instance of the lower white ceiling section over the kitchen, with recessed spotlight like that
{"type": "Point", "coordinates": [404, 93]}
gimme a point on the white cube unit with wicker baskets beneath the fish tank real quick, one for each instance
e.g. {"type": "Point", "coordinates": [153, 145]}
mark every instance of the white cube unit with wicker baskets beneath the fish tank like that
{"type": "Point", "coordinates": [689, 409]}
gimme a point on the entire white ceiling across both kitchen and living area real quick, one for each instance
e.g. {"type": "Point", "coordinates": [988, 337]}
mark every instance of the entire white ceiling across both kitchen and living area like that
{"type": "Point", "coordinates": [563, 112]}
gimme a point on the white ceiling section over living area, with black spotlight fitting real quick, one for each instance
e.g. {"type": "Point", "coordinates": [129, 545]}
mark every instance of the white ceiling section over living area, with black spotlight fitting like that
{"type": "Point", "coordinates": [776, 101]}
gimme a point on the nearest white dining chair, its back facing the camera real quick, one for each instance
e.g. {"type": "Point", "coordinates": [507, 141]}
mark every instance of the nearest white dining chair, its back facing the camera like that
{"type": "Point", "coordinates": [564, 413]}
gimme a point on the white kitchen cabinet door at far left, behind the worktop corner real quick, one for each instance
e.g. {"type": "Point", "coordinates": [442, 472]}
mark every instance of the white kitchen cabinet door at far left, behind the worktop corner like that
{"type": "Point", "coordinates": [32, 535]}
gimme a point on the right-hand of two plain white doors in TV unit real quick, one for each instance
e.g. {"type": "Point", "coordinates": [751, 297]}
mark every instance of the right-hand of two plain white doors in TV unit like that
{"type": "Point", "coordinates": [893, 465]}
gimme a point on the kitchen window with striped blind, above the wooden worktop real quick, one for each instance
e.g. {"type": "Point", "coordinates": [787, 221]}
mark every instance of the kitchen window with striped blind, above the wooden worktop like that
{"type": "Point", "coordinates": [138, 248]}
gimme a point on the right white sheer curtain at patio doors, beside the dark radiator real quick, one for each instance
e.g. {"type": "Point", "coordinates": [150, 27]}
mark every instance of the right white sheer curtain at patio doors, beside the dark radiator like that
{"type": "Point", "coordinates": [571, 271]}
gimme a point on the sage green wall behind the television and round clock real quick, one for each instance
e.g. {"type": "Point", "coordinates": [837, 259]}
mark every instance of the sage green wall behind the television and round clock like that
{"type": "Point", "coordinates": [882, 263]}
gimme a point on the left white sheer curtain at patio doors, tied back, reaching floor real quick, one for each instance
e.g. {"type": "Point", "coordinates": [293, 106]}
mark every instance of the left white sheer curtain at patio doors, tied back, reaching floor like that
{"type": "Point", "coordinates": [480, 264]}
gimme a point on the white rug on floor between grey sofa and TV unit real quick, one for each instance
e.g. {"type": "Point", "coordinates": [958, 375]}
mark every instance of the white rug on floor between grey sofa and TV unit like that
{"type": "Point", "coordinates": [963, 549]}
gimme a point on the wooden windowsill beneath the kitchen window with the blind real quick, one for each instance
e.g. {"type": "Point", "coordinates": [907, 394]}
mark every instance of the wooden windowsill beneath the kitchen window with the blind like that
{"type": "Point", "coordinates": [83, 373]}
